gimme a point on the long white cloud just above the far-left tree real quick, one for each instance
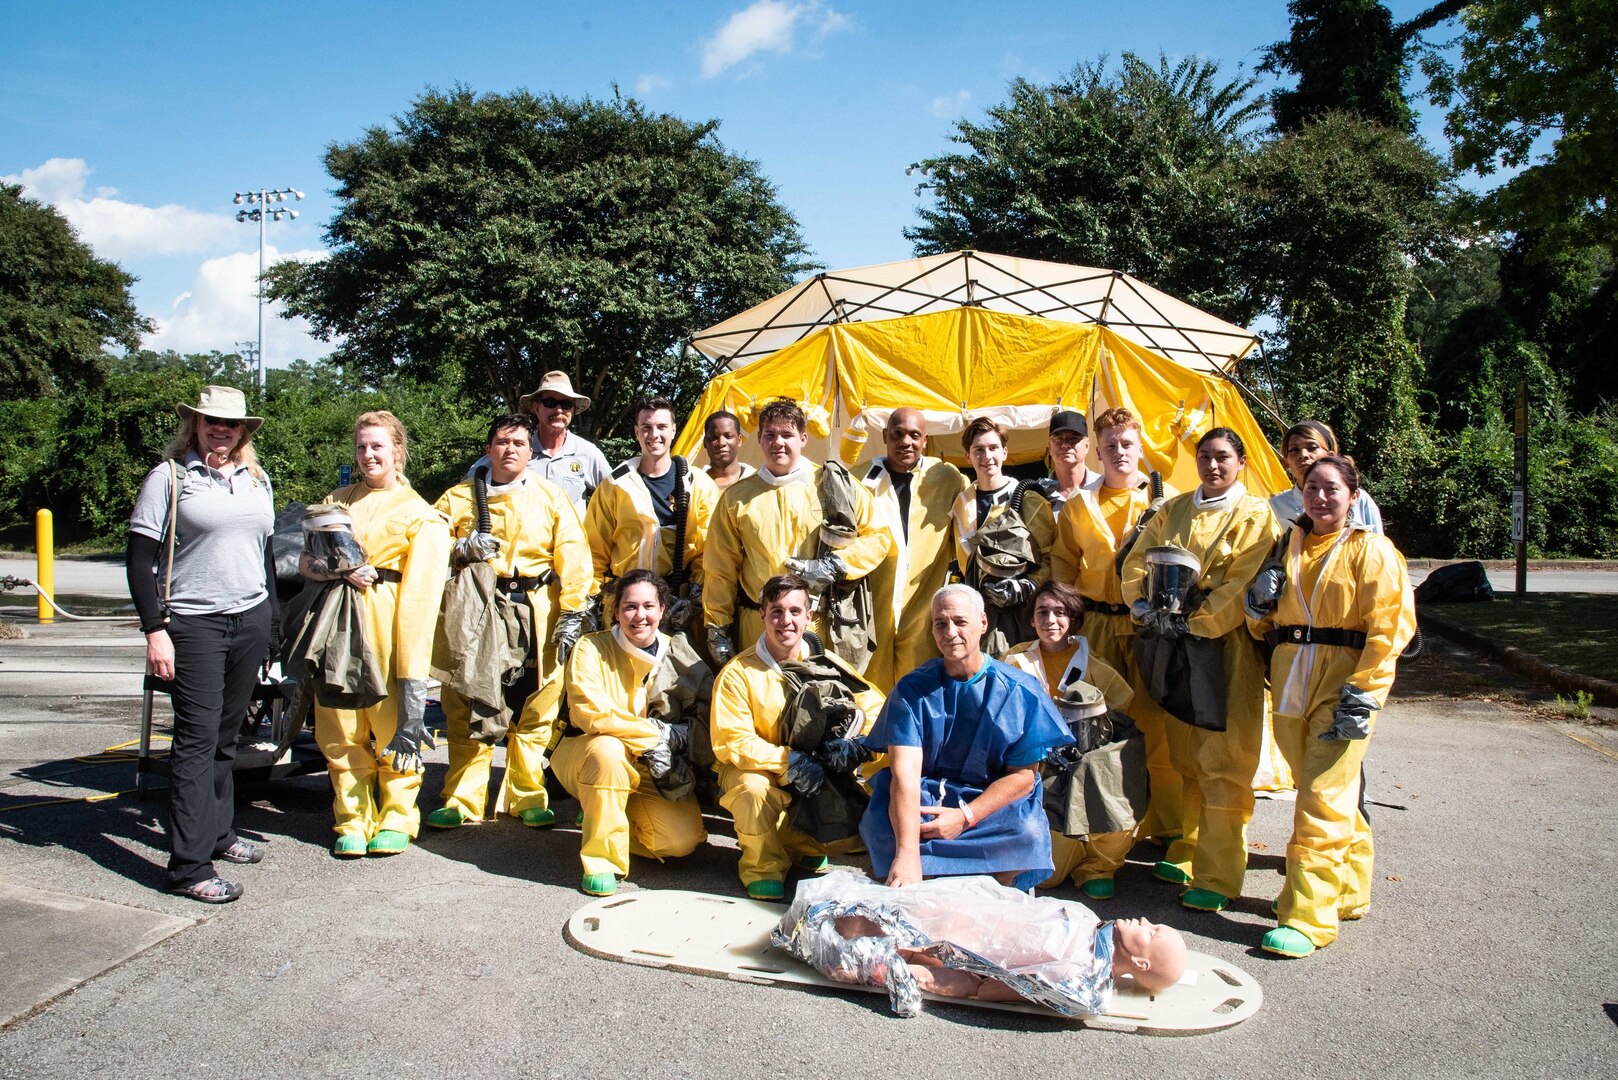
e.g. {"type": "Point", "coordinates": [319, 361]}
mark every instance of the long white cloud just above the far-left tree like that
{"type": "Point", "coordinates": [117, 229]}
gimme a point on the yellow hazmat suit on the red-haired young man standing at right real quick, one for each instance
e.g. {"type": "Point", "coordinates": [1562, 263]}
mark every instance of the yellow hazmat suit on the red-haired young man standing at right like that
{"type": "Point", "coordinates": [1090, 530]}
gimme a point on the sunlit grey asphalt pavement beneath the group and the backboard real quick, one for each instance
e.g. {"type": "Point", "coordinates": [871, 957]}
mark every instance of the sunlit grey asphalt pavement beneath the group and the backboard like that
{"type": "Point", "coordinates": [1488, 951]}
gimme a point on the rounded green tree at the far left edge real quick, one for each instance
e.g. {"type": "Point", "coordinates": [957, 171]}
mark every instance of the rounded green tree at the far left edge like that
{"type": "Point", "coordinates": [61, 307]}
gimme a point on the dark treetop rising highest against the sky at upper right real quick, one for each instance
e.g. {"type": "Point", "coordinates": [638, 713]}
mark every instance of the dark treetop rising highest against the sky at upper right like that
{"type": "Point", "coordinates": [1349, 56]}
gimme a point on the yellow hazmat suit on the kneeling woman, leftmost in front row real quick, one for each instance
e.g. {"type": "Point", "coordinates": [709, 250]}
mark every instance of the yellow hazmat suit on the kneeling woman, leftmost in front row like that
{"type": "Point", "coordinates": [624, 812]}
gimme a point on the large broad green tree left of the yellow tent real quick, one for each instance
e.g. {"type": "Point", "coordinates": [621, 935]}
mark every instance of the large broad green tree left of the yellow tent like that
{"type": "Point", "coordinates": [515, 234]}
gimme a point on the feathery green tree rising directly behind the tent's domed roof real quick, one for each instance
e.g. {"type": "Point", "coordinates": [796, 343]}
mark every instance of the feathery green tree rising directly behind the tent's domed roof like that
{"type": "Point", "coordinates": [1125, 169]}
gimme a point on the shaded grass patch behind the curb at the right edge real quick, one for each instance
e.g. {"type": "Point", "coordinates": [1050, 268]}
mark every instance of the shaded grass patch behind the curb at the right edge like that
{"type": "Point", "coordinates": [1575, 631]}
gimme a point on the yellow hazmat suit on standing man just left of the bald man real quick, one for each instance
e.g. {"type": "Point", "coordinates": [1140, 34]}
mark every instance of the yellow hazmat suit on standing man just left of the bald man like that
{"type": "Point", "coordinates": [761, 522]}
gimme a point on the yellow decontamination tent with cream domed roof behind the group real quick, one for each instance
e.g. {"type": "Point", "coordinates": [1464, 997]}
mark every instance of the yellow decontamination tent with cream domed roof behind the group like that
{"type": "Point", "coordinates": [976, 352]}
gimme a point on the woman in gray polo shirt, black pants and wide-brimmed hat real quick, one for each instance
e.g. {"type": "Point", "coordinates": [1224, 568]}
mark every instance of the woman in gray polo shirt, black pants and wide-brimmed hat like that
{"type": "Point", "coordinates": [208, 621]}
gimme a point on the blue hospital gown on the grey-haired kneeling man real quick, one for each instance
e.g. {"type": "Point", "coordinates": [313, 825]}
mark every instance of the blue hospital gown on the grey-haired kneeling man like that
{"type": "Point", "coordinates": [972, 733]}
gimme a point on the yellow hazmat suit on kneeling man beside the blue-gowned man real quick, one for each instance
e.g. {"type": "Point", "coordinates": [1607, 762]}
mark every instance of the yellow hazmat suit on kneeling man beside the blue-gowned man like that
{"type": "Point", "coordinates": [750, 741]}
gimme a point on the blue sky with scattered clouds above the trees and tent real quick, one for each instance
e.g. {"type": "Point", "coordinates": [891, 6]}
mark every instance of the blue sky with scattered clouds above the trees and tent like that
{"type": "Point", "coordinates": [140, 122]}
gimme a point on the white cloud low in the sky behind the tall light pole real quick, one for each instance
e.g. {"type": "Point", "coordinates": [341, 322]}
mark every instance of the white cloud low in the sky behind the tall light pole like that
{"type": "Point", "coordinates": [221, 310]}
